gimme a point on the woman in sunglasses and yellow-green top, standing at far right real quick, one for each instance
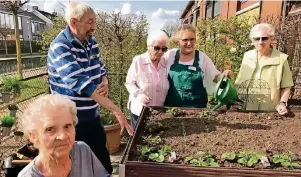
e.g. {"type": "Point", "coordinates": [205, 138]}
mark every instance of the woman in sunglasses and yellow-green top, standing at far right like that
{"type": "Point", "coordinates": [269, 65]}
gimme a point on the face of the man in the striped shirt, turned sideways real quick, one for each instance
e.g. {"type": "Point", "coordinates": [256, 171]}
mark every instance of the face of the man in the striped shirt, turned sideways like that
{"type": "Point", "coordinates": [85, 27]}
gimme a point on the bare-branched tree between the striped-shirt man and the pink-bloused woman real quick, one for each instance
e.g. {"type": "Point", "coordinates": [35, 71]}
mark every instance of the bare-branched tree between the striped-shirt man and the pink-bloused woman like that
{"type": "Point", "coordinates": [120, 38]}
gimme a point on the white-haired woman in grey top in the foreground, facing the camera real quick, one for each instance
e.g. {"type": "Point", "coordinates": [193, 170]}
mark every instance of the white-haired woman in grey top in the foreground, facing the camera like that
{"type": "Point", "coordinates": [49, 124]}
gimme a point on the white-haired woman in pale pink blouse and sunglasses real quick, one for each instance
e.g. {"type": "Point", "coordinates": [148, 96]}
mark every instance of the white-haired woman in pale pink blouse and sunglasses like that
{"type": "Point", "coordinates": [146, 79]}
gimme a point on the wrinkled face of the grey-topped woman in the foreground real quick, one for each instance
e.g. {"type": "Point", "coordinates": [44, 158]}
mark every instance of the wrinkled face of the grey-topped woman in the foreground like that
{"type": "Point", "coordinates": [55, 133]}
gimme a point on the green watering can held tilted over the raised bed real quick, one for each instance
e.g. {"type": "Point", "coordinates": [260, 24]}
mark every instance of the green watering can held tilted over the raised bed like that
{"type": "Point", "coordinates": [225, 93]}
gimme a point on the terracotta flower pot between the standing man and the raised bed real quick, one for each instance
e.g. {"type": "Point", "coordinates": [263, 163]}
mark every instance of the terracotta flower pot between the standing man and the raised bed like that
{"type": "Point", "coordinates": [113, 137]}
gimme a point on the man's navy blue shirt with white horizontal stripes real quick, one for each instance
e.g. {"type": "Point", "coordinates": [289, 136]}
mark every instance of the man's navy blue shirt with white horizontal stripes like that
{"type": "Point", "coordinates": [75, 70]}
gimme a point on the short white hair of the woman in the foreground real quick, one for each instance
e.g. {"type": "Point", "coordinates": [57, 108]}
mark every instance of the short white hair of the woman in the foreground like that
{"type": "Point", "coordinates": [32, 115]}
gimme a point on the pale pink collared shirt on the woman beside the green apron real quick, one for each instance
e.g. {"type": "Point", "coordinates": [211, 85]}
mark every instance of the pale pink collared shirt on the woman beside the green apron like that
{"type": "Point", "coordinates": [144, 78]}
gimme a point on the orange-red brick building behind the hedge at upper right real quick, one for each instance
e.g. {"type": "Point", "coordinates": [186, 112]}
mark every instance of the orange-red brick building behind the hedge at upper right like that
{"type": "Point", "coordinates": [202, 9]}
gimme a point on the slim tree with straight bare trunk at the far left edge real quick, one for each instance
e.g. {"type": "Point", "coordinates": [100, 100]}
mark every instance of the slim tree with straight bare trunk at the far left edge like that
{"type": "Point", "coordinates": [14, 7]}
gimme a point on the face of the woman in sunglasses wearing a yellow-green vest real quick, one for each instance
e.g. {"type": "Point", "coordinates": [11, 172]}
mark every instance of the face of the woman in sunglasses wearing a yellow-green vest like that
{"type": "Point", "coordinates": [261, 40]}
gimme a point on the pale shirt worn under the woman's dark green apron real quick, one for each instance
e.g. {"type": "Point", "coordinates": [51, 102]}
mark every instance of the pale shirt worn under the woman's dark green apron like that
{"type": "Point", "coordinates": [209, 71]}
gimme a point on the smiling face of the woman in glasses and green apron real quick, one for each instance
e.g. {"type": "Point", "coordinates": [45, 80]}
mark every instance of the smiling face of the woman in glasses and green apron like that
{"type": "Point", "coordinates": [186, 41]}
